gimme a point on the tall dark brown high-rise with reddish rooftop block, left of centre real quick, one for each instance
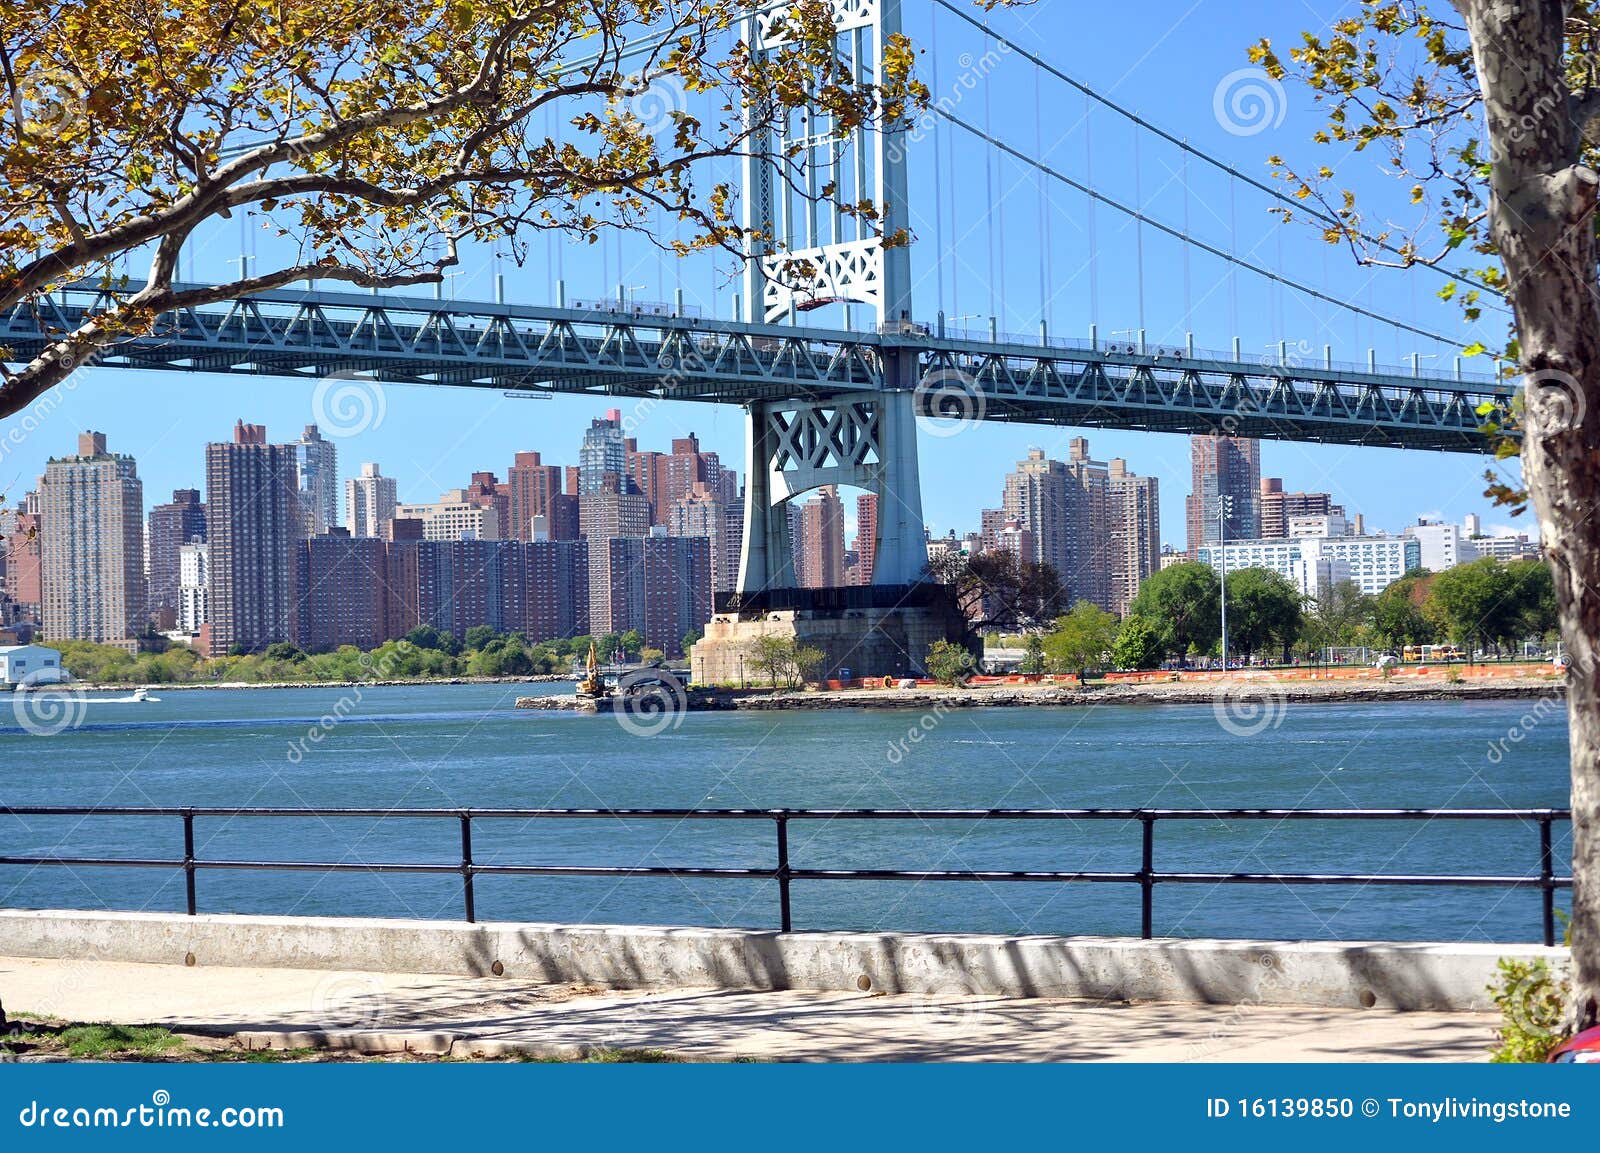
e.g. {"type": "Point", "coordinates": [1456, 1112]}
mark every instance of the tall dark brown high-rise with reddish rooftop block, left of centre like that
{"type": "Point", "coordinates": [254, 524]}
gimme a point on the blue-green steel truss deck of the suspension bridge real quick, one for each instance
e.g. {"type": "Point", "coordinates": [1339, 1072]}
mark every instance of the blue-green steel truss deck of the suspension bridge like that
{"type": "Point", "coordinates": [534, 349]}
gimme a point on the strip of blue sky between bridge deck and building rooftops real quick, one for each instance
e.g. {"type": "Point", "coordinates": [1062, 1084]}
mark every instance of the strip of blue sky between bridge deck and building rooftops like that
{"type": "Point", "coordinates": [1438, 487]}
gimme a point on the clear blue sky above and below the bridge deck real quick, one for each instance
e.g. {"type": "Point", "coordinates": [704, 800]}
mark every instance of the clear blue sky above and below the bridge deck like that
{"type": "Point", "coordinates": [982, 250]}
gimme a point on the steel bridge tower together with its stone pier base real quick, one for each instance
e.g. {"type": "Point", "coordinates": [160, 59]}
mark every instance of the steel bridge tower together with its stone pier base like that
{"type": "Point", "coordinates": [863, 439]}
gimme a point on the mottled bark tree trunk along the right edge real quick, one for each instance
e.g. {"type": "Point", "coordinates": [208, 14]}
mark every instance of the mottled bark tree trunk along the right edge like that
{"type": "Point", "coordinates": [1543, 207]}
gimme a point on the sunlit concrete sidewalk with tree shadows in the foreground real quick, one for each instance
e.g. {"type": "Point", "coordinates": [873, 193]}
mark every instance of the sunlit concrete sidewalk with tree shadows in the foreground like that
{"type": "Point", "coordinates": [502, 1016]}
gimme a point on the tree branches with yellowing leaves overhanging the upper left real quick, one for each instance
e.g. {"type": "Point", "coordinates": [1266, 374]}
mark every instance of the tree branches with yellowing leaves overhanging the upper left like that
{"type": "Point", "coordinates": [378, 137]}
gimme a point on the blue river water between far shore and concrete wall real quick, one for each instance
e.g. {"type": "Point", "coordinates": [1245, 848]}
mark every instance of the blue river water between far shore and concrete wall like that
{"type": "Point", "coordinates": [466, 746]}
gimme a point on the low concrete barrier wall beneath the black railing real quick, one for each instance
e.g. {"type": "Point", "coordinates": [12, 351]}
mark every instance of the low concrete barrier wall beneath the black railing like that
{"type": "Point", "coordinates": [1329, 975]}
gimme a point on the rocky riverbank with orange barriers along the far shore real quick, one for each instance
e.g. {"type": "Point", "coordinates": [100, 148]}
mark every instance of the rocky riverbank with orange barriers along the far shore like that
{"type": "Point", "coordinates": [1244, 690]}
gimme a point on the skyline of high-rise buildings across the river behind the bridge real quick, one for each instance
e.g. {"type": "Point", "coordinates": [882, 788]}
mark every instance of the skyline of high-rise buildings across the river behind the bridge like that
{"type": "Point", "coordinates": [639, 540]}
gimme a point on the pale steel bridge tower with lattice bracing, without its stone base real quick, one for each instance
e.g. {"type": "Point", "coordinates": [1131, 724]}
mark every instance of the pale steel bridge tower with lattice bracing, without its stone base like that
{"type": "Point", "coordinates": [865, 441]}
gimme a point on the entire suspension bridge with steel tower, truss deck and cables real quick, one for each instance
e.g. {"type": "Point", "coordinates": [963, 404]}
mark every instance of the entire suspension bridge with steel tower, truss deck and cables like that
{"type": "Point", "coordinates": [828, 405]}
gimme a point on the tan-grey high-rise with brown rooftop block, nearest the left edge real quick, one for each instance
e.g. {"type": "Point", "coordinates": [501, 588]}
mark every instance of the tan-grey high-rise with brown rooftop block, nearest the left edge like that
{"type": "Point", "coordinates": [92, 546]}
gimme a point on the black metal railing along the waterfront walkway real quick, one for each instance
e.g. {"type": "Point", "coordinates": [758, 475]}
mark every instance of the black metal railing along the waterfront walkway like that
{"type": "Point", "coordinates": [786, 874]}
